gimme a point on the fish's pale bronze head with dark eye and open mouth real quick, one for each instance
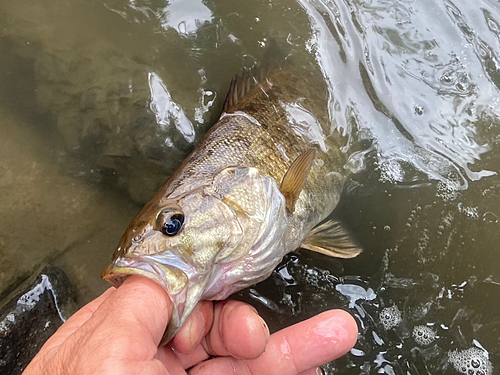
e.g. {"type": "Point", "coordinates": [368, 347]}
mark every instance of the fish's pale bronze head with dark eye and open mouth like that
{"type": "Point", "coordinates": [200, 244]}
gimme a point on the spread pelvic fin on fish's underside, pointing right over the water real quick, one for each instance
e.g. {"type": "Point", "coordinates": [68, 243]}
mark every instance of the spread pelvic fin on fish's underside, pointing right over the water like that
{"type": "Point", "coordinates": [333, 239]}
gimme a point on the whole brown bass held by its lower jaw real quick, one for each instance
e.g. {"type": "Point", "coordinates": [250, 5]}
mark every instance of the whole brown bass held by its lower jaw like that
{"type": "Point", "coordinates": [253, 189]}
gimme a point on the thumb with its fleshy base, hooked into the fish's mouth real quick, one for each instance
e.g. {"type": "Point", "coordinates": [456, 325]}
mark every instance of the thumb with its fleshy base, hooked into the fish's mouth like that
{"type": "Point", "coordinates": [128, 322]}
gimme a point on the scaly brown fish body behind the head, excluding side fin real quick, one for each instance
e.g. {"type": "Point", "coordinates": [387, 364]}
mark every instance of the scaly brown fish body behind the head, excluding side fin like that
{"type": "Point", "coordinates": [257, 131]}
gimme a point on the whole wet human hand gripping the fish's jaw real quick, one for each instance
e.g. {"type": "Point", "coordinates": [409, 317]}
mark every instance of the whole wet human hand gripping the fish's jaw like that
{"type": "Point", "coordinates": [119, 333]}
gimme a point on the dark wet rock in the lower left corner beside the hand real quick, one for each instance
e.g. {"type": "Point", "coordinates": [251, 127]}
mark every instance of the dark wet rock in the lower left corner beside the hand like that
{"type": "Point", "coordinates": [32, 316]}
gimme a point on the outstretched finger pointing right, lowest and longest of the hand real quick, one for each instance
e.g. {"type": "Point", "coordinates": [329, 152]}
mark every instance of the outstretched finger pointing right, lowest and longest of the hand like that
{"type": "Point", "coordinates": [295, 349]}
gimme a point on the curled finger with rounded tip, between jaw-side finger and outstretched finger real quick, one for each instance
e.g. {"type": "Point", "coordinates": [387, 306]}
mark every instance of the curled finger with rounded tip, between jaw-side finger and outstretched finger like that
{"type": "Point", "coordinates": [238, 331]}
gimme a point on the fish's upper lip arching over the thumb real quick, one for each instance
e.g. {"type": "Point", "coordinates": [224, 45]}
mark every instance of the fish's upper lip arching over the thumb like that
{"type": "Point", "coordinates": [118, 271]}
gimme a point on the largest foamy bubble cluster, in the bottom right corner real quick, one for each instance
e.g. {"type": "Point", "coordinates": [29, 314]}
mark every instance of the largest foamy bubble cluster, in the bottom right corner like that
{"type": "Point", "coordinates": [472, 361]}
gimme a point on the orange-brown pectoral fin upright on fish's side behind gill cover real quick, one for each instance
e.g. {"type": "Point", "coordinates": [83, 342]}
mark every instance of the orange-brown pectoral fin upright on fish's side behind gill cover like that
{"type": "Point", "coordinates": [294, 178]}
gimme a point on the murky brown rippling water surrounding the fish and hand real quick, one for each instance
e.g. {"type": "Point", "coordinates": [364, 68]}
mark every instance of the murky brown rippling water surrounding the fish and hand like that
{"type": "Point", "coordinates": [101, 100]}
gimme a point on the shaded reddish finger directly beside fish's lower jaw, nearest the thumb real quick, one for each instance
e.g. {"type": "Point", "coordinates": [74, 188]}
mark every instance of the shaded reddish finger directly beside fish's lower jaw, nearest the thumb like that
{"type": "Point", "coordinates": [194, 330]}
